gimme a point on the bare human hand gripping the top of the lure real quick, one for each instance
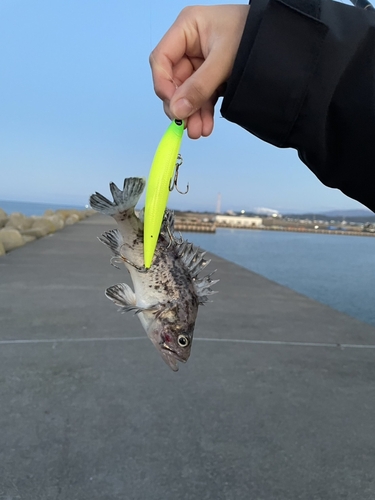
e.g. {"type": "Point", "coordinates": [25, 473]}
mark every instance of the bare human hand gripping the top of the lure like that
{"type": "Point", "coordinates": [193, 61]}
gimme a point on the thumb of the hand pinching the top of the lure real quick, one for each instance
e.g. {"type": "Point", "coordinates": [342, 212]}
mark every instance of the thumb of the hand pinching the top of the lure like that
{"type": "Point", "coordinates": [196, 90]}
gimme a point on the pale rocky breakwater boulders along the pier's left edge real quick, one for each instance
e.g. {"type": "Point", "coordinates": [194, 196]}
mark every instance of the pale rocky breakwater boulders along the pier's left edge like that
{"type": "Point", "coordinates": [17, 229]}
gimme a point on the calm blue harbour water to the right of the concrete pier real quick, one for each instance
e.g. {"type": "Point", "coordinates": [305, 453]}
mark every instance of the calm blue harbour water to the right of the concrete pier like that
{"type": "Point", "coordinates": [336, 270]}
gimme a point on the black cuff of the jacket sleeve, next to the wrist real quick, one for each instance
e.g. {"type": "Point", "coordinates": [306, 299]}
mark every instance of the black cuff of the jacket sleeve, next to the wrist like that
{"type": "Point", "coordinates": [277, 57]}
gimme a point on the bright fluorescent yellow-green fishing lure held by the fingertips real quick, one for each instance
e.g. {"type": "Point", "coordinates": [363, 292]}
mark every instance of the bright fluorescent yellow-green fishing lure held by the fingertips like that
{"type": "Point", "coordinates": [160, 182]}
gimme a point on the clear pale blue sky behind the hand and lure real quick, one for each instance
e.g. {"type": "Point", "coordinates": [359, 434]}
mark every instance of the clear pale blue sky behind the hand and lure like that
{"type": "Point", "coordinates": [77, 110]}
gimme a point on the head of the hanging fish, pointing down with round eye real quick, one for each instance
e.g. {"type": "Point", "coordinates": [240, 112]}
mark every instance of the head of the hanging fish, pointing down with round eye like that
{"type": "Point", "coordinates": [172, 340]}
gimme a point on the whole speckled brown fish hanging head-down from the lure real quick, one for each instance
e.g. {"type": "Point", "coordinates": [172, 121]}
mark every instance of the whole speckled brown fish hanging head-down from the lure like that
{"type": "Point", "coordinates": [167, 295]}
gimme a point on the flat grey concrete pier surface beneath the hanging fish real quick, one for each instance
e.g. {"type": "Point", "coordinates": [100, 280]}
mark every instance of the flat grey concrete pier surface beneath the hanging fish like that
{"type": "Point", "coordinates": [277, 401]}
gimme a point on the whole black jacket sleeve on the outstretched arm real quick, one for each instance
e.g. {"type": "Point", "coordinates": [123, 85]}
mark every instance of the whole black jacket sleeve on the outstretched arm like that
{"type": "Point", "coordinates": [304, 77]}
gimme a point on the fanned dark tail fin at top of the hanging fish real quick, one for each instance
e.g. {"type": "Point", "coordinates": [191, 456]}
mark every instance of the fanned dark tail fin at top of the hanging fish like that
{"type": "Point", "coordinates": [122, 200]}
